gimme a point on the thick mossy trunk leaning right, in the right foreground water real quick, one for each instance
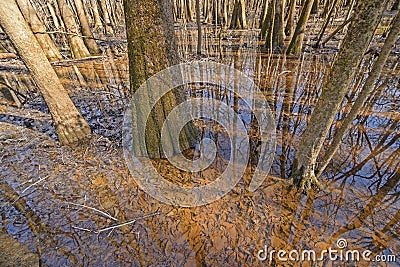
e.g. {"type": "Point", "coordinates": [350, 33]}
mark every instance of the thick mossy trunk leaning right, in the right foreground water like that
{"type": "Point", "coordinates": [367, 17]}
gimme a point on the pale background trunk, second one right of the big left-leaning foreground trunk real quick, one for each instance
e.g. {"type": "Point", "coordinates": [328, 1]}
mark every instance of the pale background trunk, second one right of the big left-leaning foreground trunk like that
{"type": "Point", "coordinates": [78, 47]}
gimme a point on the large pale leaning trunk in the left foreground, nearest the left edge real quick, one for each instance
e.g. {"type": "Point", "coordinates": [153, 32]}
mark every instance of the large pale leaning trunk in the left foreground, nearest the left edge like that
{"type": "Point", "coordinates": [69, 123]}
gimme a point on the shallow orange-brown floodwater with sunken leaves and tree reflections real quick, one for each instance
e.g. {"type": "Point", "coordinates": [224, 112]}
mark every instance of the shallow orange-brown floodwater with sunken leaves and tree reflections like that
{"type": "Point", "coordinates": [79, 206]}
